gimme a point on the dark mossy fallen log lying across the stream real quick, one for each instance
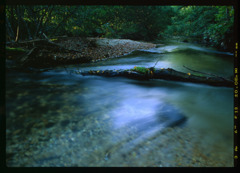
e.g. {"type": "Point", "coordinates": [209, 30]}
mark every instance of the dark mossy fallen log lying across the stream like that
{"type": "Point", "coordinates": [166, 74]}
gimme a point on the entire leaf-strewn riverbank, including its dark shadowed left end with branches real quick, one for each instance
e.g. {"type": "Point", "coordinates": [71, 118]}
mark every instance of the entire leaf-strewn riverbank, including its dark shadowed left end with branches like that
{"type": "Point", "coordinates": [74, 50]}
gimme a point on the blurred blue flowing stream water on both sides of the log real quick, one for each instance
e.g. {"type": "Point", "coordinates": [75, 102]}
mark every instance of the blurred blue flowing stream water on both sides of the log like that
{"type": "Point", "coordinates": [59, 118]}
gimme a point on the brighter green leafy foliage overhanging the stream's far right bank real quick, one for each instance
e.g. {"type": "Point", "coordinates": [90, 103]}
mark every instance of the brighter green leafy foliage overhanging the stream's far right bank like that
{"type": "Point", "coordinates": [208, 24]}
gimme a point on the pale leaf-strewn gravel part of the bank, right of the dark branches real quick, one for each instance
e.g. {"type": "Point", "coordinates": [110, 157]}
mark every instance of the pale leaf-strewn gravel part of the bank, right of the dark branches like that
{"type": "Point", "coordinates": [95, 49]}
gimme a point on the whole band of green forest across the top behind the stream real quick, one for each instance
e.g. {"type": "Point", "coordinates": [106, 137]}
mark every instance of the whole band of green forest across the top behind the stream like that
{"type": "Point", "coordinates": [211, 25]}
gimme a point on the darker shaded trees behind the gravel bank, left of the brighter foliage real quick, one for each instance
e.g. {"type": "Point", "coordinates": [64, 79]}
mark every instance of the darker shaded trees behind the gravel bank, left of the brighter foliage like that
{"type": "Point", "coordinates": [133, 22]}
